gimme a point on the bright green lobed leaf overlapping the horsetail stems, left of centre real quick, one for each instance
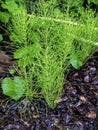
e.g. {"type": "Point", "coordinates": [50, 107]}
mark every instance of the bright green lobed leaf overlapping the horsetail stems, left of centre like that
{"type": "Point", "coordinates": [27, 54]}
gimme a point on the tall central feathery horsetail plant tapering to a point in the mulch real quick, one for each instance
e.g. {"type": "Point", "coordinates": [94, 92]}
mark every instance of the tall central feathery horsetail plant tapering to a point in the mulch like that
{"type": "Point", "coordinates": [53, 61]}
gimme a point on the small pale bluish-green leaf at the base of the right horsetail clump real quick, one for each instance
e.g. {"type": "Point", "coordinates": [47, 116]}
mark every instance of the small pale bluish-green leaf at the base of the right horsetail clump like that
{"type": "Point", "coordinates": [75, 61]}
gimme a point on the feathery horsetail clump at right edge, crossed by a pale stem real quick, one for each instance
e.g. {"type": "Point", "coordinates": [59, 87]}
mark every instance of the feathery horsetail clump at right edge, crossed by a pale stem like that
{"type": "Point", "coordinates": [85, 39]}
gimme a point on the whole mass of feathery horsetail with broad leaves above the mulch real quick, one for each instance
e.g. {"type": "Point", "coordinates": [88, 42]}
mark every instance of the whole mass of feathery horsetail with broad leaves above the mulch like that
{"type": "Point", "coordinates": [48, 42]}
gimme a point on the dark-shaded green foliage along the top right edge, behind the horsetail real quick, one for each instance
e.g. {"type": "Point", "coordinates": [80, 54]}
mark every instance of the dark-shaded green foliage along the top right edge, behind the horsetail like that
{"type": "Point", "coordinates": [75, 7]}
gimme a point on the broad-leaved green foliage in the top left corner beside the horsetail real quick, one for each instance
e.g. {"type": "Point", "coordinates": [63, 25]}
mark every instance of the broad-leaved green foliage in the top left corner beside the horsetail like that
{"type": "Point", "coordinates": [7, 7]}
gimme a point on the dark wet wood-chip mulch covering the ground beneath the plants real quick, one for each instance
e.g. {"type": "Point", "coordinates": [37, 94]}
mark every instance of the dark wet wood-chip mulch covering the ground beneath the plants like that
{"type": "Point", "coordinates": [77, 109]}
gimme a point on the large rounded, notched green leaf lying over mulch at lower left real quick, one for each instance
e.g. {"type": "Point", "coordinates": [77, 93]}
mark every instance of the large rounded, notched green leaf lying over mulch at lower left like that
{"type": "Point", "coordinates": [13, 88]}
